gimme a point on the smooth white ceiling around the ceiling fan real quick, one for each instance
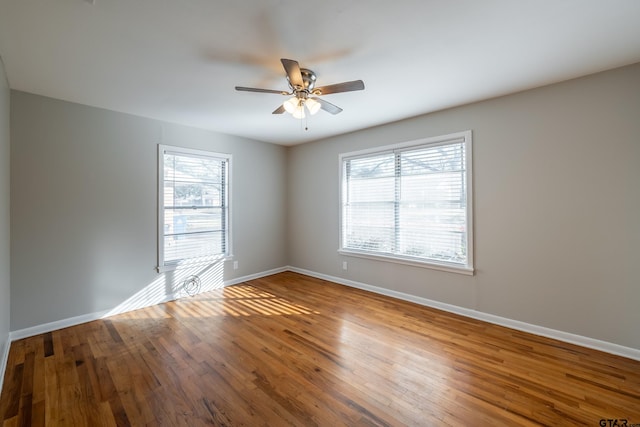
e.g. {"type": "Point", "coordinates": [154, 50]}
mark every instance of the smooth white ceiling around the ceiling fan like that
{"type": "Point", "coordinates": [179, 60]}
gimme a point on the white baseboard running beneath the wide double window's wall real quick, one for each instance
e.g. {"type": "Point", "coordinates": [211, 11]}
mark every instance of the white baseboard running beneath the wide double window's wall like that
{"type": "Point", "coordinates": [592, 343]}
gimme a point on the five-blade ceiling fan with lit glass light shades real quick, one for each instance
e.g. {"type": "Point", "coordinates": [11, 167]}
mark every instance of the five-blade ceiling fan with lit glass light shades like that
{"type": "Point", "coordinates": [302, 84]}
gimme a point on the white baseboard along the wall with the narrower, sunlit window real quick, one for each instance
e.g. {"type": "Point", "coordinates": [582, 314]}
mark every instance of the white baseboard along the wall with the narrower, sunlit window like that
{"type": "Point", "coordinates": [73, 321]}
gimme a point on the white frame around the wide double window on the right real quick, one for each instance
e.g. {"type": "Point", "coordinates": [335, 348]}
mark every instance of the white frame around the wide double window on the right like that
{"type": "Point", "coordinates": [466, 138]}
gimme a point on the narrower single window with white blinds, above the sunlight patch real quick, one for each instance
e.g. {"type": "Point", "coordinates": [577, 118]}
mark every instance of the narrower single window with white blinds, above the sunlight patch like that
{"type": "Point", "coordinates": [193, 200]}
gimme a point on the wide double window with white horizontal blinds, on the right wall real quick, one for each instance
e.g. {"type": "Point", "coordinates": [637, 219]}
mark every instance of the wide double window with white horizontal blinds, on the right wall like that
{"type": "Point", "coordinates": [410, 203]}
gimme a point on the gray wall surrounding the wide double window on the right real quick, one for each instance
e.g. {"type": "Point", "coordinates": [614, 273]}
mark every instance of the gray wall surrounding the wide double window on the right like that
{"type": "Point", "coordinates": [556, 202]}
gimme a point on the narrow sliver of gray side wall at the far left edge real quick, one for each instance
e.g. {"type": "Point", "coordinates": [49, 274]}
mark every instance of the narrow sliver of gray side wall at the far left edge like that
{"type": "Point", "coordinates": [5, 225]}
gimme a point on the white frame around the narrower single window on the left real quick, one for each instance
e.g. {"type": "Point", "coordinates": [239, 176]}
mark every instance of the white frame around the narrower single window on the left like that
{"type": "Point", "coordinates": [163, 265]}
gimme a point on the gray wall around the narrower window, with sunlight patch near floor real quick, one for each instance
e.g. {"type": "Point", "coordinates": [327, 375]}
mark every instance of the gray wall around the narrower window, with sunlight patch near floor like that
{"type": "Point", "coordinates": [84, 200]}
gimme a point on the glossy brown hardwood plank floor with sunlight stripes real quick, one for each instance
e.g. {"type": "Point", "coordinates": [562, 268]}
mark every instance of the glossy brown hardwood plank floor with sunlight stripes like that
{"type": "Point", "coordinates": [293, 350]}
